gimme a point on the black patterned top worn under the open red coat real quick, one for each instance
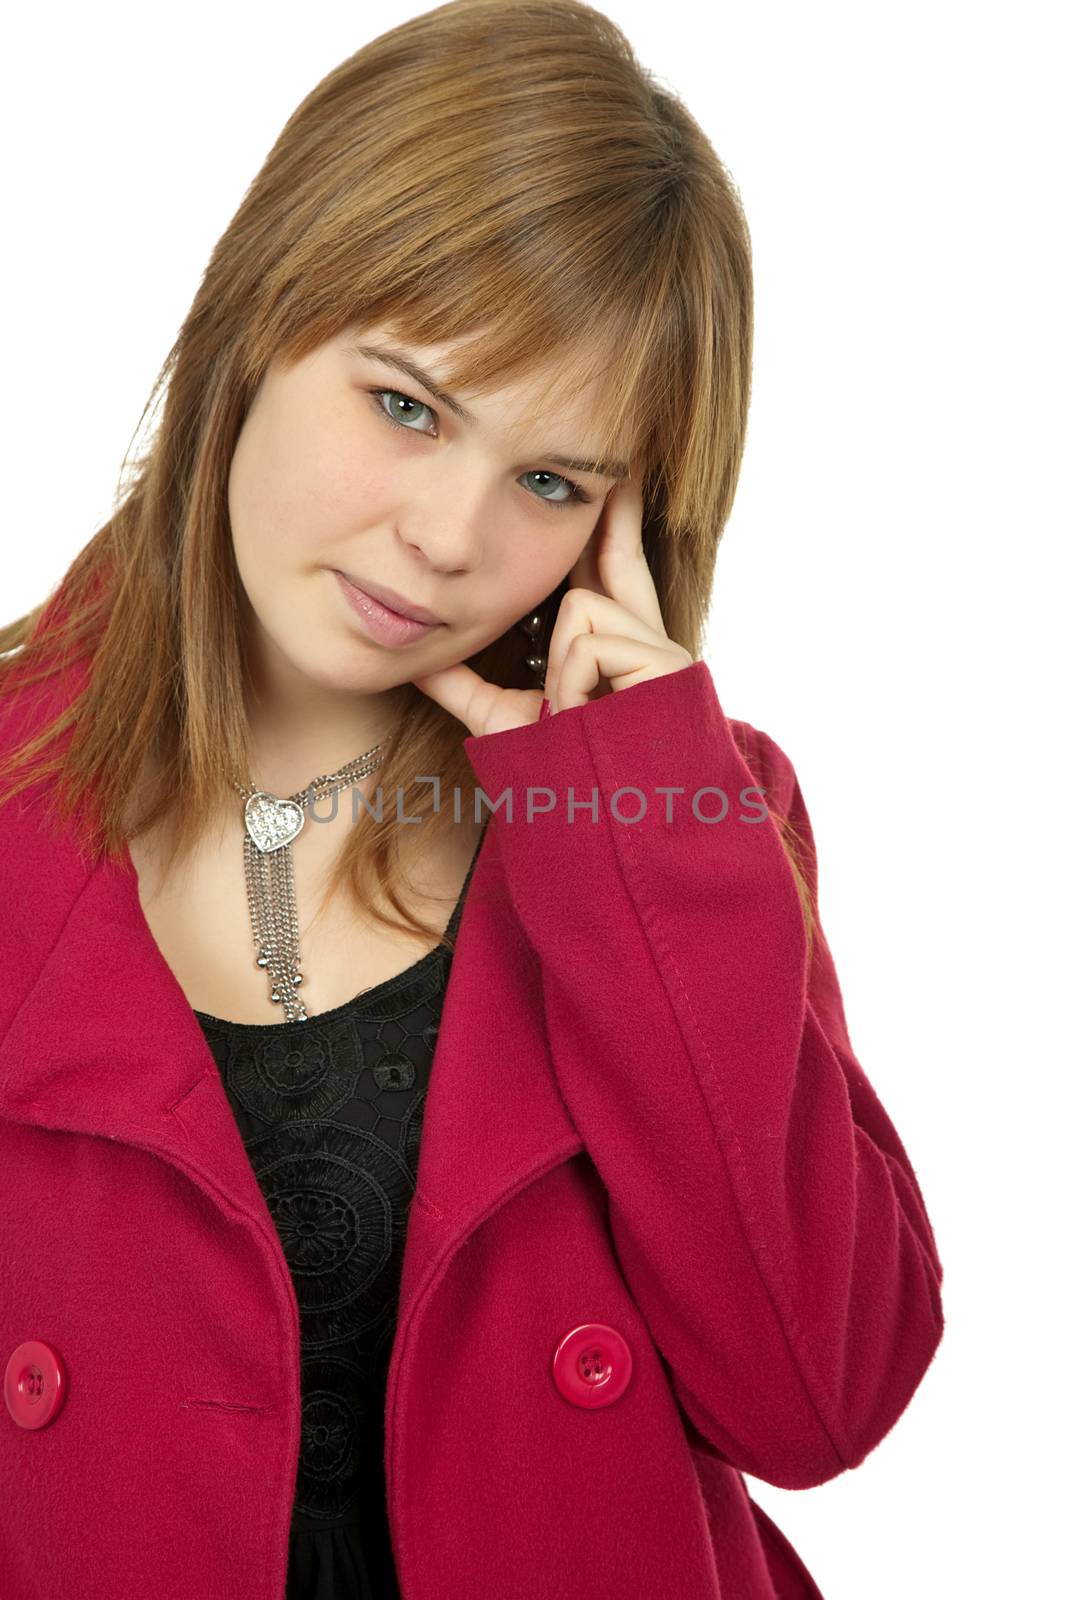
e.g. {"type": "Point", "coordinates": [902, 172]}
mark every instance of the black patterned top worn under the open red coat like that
{"type": "Point", "coordinates": [332, 1113]}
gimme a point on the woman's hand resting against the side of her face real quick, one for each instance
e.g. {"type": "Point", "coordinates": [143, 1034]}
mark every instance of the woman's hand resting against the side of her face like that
{"type": "Point", "coordinates": [609, 628]}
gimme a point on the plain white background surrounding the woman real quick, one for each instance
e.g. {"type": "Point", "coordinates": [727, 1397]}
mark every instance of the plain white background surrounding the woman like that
{"type": "Point", "coordinates": [887, 599]}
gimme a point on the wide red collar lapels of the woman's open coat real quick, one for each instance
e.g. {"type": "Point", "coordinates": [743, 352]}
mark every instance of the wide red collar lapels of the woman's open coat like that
{"type": "Point", "coordinates": [106, 1044]}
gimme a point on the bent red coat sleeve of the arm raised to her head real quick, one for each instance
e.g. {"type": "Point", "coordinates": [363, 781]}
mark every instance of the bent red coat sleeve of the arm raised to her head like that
{"type": "Point", "coordinates": [765, 1214]}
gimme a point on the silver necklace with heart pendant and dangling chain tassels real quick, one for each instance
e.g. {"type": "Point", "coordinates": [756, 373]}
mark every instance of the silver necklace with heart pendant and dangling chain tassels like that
{"type": "Point", "coordinates": [271, 826]}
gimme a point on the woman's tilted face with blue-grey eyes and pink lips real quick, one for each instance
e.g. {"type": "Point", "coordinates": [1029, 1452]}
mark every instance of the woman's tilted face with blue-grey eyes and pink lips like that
{"type": "Point", "coordinates": [470, 519]}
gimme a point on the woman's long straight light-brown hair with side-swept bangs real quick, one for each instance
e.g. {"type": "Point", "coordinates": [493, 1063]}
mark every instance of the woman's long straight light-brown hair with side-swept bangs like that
{"type": "Point", "coordinates": [492, 166]}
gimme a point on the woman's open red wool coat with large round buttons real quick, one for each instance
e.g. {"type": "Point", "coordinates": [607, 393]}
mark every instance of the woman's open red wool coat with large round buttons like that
{"type": "Point", "coordinates": [665, 1233]}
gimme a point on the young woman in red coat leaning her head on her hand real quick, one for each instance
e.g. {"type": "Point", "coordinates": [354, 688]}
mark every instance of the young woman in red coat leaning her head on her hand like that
{"type": "Point", "coordinates": [407, 1194]}
